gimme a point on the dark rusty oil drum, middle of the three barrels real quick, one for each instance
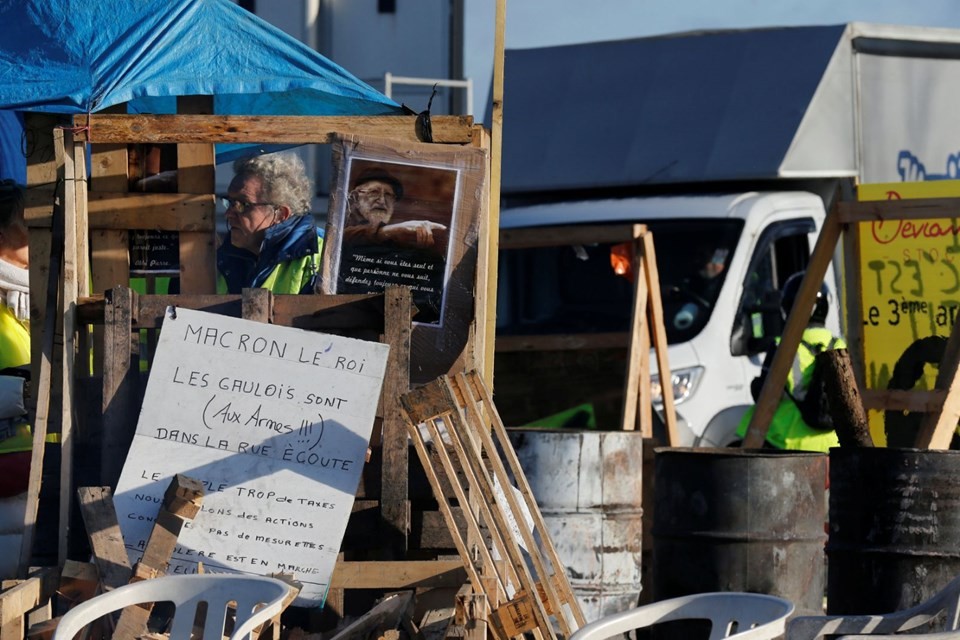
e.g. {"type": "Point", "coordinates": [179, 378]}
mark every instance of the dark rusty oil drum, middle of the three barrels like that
{"type": "Point", "coordinates": [740, 520]}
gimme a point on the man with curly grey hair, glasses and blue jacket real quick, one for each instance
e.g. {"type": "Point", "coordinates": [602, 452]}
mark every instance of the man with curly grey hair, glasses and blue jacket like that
{"type": "Point", "coordinates": [273, 242]}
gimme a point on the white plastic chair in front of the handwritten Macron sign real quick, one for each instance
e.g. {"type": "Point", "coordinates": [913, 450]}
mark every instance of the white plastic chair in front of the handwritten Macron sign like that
{"type": "Point", "coordinates": [186, 593]}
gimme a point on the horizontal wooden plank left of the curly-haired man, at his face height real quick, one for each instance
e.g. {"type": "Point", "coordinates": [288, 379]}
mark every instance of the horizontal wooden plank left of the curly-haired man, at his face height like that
{"type": "Point", "coordinates": [148, 211]}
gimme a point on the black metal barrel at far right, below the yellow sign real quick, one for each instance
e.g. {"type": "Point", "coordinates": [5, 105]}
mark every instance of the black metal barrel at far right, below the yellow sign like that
{"type": "Point", "coordinates": [894, 535]}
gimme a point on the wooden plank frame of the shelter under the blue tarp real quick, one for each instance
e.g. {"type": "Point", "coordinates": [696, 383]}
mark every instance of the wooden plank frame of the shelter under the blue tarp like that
{"type": "Point", "coordinates": [98, 219]}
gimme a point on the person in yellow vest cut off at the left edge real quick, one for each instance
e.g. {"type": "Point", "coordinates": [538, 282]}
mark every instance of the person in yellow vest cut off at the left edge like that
{"type": "Point", "coordinates": [15, 438]}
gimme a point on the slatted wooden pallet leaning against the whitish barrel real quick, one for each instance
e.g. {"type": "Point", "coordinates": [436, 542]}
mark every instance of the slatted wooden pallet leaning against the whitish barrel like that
{"type": "Point", "coordinates": [468, 457]}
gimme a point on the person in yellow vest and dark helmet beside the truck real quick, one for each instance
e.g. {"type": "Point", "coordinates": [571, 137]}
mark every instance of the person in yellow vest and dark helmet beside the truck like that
{"type": "Point", "coordinates": [788, 429]}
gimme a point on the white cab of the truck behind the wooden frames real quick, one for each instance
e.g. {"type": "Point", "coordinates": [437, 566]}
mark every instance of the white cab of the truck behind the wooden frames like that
{"type": "Point", "coordinates": [717, 331]}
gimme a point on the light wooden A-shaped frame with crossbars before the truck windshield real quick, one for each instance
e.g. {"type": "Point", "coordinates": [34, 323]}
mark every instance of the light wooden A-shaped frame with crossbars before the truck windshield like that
{"type": "Point", "coordinates": [646, 324]}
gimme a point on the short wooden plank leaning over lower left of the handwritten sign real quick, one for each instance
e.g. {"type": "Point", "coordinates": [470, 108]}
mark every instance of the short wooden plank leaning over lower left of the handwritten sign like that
{"type": "Point", "coordinates": [181, 503]}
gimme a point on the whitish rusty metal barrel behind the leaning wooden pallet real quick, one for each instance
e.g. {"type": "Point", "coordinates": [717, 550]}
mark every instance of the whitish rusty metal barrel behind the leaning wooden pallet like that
{"type": "Point", "coordinates": [588, 487]}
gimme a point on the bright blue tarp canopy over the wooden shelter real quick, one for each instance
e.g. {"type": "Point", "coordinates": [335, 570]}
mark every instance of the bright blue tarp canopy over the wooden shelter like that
{"type": "Point", "coordinates": [78, 56]}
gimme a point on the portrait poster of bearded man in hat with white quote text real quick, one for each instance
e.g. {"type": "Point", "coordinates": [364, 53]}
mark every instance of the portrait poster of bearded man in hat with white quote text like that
{"type": "Point", "coordinates": [408, 216]}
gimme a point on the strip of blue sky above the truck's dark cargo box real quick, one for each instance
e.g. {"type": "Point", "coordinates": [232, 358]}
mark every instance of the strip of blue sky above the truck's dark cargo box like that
{"type": "Point", "coordinates": [540, 23]}
